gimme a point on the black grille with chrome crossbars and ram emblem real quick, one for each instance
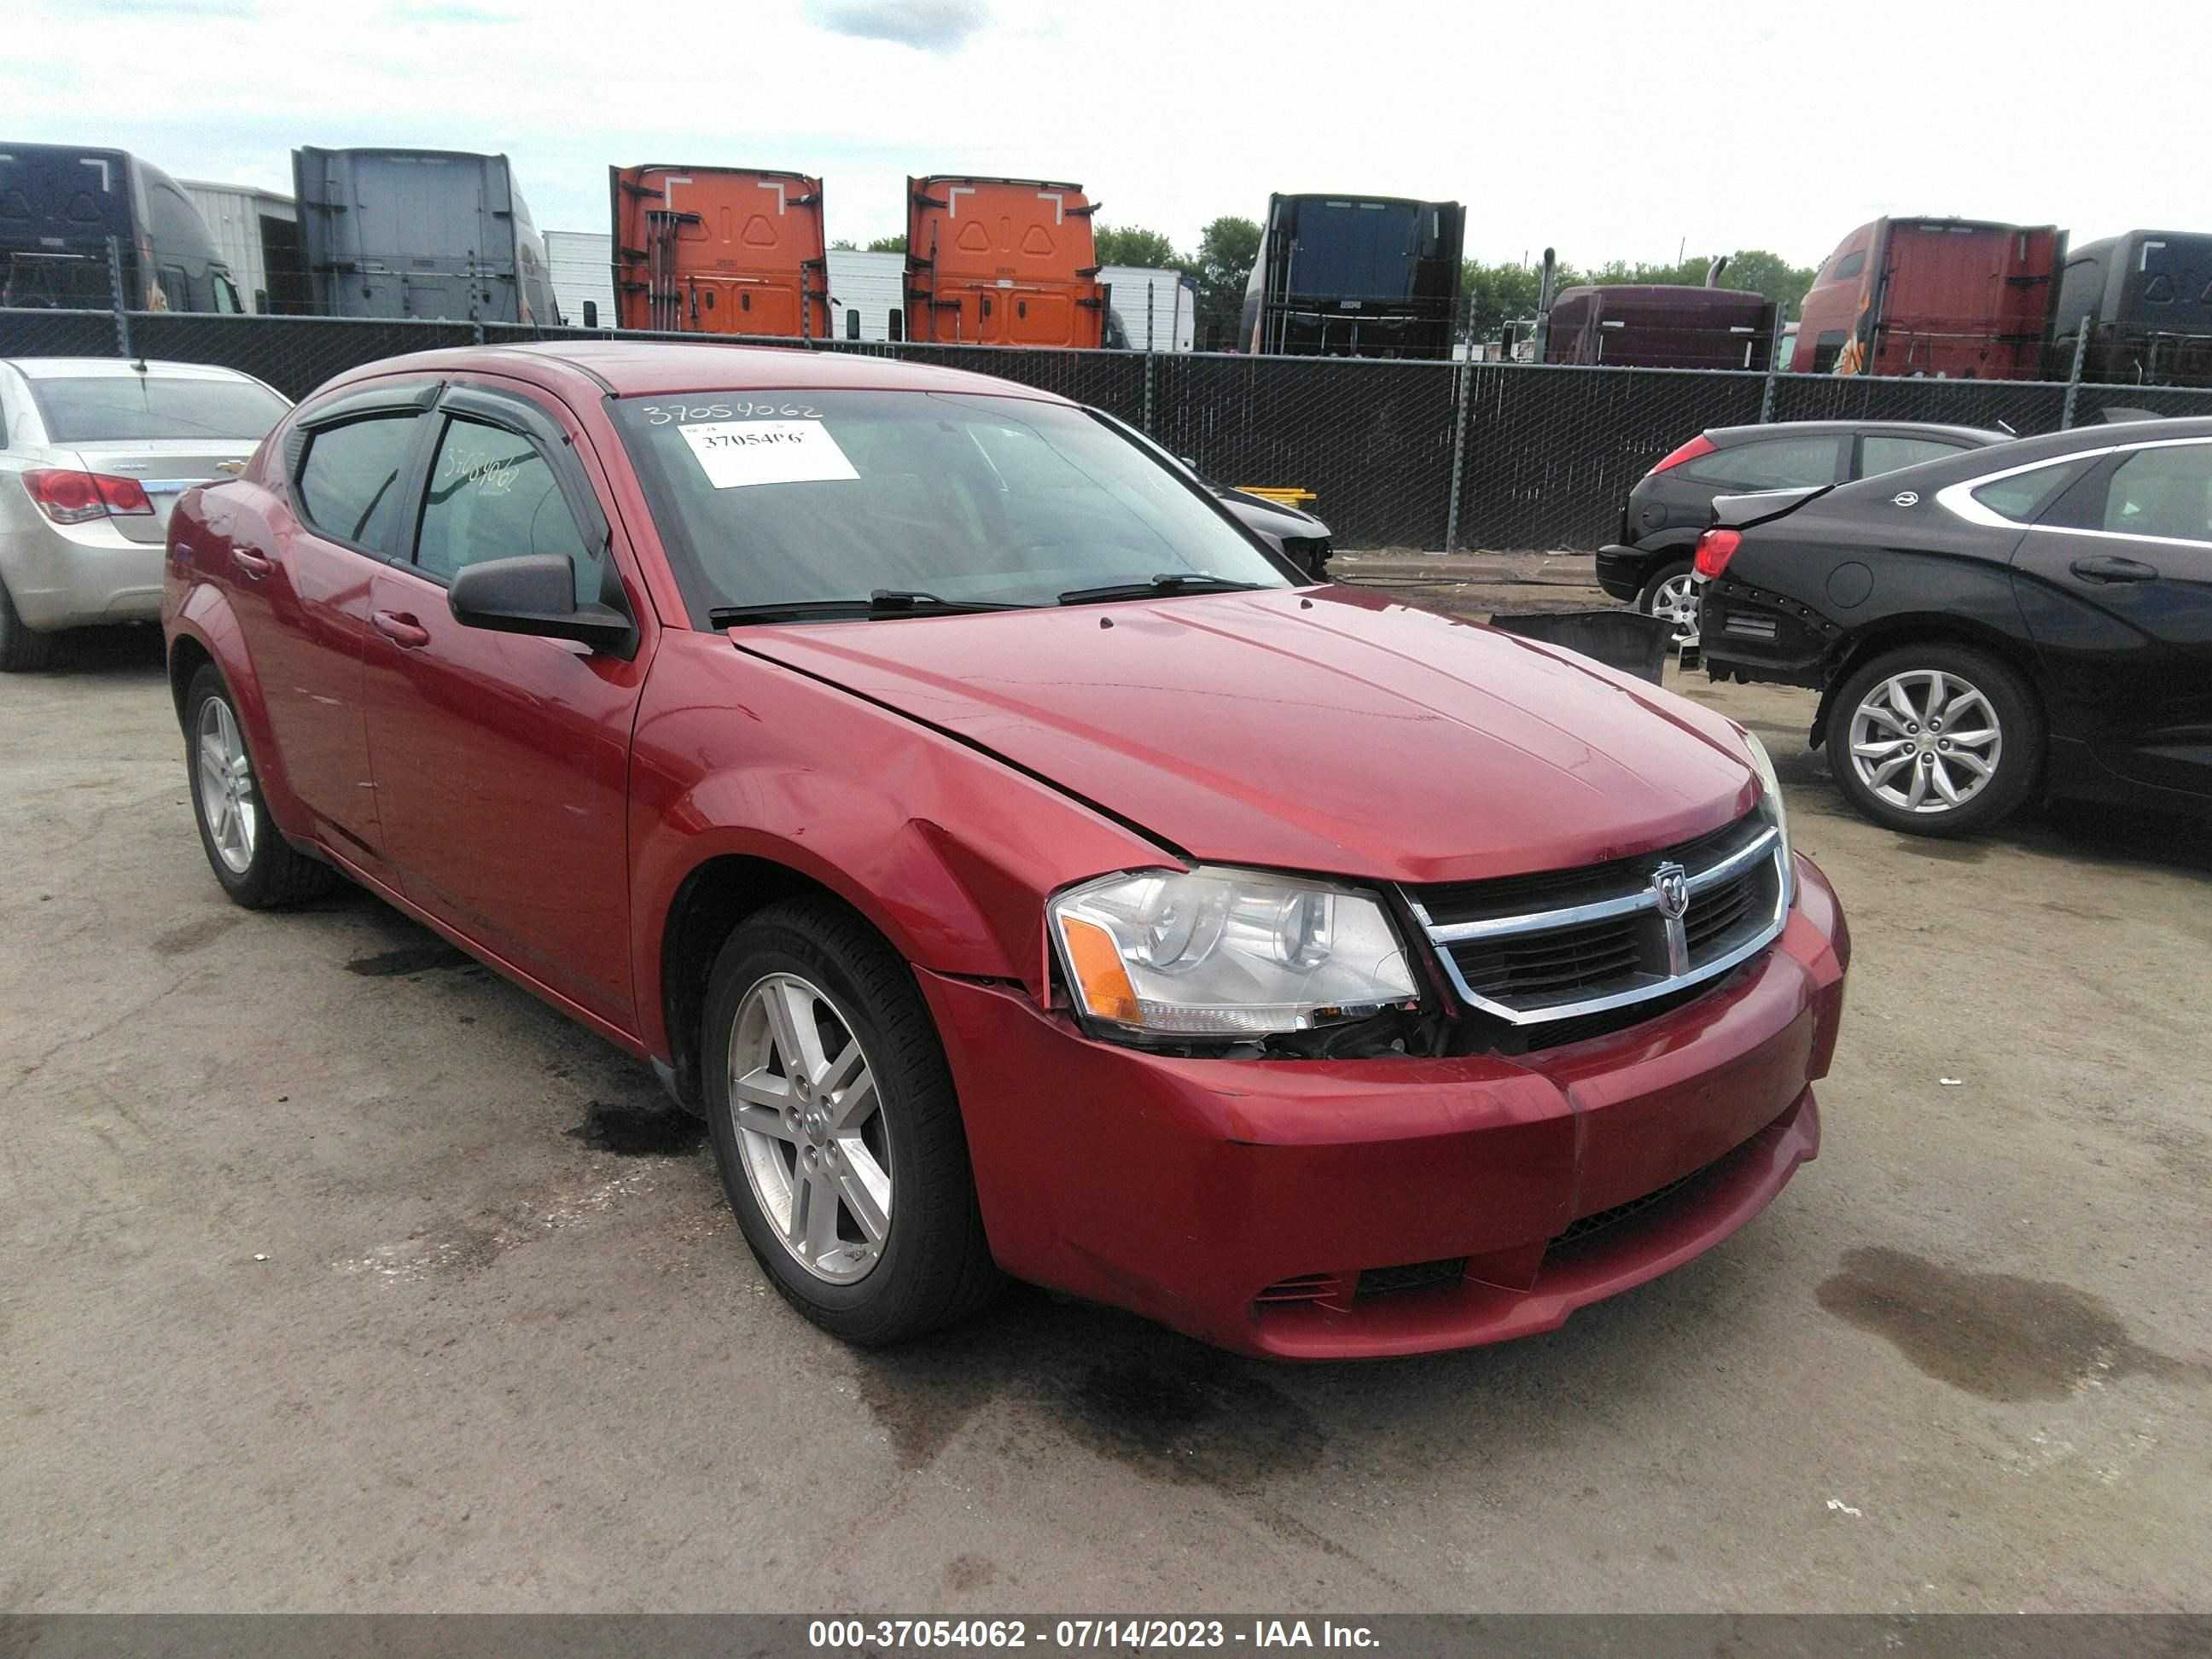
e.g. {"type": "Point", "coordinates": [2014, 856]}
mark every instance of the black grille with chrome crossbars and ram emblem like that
{"type": "Point", "coordinates": [1567, 943]}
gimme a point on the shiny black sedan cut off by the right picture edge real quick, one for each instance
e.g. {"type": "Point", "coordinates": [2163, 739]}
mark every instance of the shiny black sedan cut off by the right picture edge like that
{"type": "Point", "coordinates": [2016, 623]}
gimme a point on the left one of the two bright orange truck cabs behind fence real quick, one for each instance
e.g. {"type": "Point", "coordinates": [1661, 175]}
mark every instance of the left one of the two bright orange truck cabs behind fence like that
{"type": "Point", "coordinates": [720, 251]}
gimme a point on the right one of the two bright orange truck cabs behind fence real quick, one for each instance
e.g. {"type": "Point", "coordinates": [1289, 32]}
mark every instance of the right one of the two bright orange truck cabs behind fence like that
{"type": "Point", "coordinates": [1003, 262]}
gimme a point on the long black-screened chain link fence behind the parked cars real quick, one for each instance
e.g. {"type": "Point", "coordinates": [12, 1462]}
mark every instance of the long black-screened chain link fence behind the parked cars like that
{"type": "Point", "coordinates": [1395, 455]}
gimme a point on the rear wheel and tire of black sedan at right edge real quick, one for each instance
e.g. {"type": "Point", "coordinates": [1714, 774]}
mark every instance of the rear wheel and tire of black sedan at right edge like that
{"type": "Point", "coordinates": [1884, 716]}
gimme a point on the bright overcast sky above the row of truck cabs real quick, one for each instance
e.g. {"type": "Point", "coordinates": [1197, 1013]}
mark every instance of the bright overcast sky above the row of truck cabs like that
{"type": "Point", "coordinates": [1611, 132]}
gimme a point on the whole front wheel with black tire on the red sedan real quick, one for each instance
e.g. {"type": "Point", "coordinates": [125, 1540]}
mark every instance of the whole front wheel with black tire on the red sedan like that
{"type": "Point", "coordinates": [928, 1264]}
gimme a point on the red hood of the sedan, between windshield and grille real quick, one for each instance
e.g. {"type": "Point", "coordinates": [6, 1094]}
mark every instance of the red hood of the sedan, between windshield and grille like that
{"type": "Point", "coordinates": [1328, 731]}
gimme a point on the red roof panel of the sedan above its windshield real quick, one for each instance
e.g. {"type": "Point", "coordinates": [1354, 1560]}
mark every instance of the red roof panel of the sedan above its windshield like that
{"type": "Point", "coordinates": [662, 368]}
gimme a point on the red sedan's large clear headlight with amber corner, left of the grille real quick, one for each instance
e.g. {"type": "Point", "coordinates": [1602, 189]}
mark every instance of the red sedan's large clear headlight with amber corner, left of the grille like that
{"type": "Point", "coordinates": [1227, 952]}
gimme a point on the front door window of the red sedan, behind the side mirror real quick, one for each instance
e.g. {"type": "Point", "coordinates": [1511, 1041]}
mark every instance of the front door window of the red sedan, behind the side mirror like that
{"type": "Point", "coordinates": [492, 497]}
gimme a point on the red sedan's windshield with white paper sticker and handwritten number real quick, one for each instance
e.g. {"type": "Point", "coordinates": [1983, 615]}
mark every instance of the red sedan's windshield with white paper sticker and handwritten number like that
{"type": "Point", "coordinates": [793, 497]}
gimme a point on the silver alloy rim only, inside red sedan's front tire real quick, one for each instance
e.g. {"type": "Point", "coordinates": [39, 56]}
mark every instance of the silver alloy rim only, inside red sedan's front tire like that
{"type": "Point", "coordinates": [811, 1129]}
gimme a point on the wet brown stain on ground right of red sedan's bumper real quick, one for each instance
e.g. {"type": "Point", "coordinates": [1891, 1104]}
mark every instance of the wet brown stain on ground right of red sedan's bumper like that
{"type": "Point", "coordinates": [1994, 1335]}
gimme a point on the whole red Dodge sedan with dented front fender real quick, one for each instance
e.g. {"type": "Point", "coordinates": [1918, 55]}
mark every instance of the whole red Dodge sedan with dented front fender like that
{"type": "Point", "coordinates": [1021, 866]}
